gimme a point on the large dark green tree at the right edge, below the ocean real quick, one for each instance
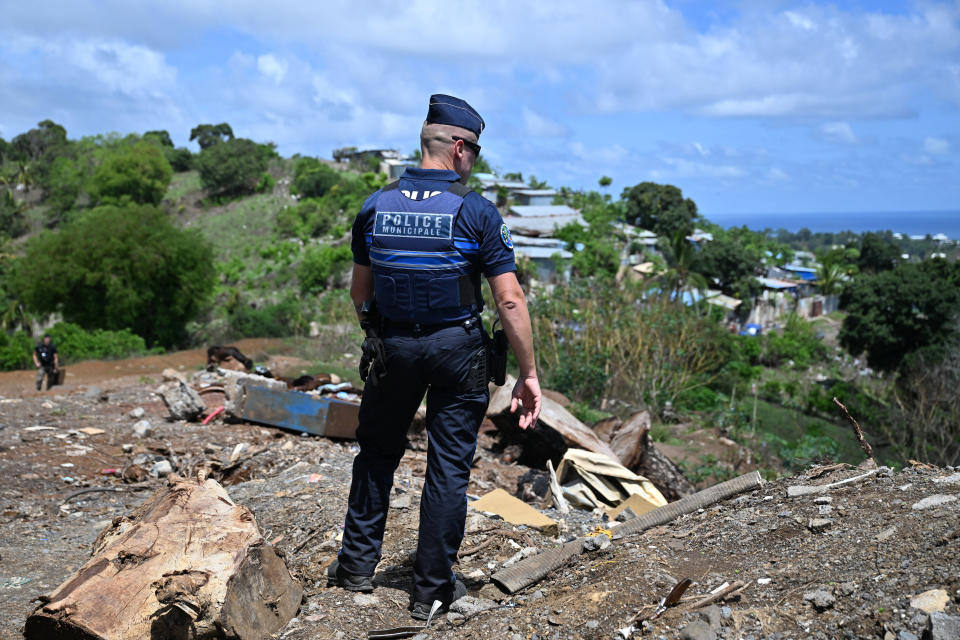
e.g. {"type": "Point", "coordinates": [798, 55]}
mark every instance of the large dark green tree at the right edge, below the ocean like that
{"type": "Point", "coordinates": [894, 313]}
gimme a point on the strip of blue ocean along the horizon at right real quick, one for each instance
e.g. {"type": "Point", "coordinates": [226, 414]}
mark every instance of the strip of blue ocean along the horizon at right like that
{"type": "Point", "coordinates": [905, 222]}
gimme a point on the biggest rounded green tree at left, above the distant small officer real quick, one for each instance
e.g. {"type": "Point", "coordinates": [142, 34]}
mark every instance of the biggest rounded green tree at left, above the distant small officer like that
{"type": "Point", "coordinates": [118, 267]}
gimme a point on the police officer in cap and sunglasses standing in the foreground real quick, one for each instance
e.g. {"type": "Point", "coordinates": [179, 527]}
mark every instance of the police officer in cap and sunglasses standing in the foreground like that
{"type": "Point", "coordinates": [420, 246]}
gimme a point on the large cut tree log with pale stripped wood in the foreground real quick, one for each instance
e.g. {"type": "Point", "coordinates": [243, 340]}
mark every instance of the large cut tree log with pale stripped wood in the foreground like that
{"type": "Point", "coordinates": [187, 564]}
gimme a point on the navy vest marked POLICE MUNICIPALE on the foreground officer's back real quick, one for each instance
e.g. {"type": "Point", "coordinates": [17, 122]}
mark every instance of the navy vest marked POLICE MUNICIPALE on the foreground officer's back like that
{"type": "Point", "coordinates": [418, 273]}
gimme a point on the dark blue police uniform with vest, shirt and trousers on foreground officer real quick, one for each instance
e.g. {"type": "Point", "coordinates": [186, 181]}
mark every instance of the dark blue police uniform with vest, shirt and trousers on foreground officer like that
{"type": "Point", "coordinates": [428, 244]}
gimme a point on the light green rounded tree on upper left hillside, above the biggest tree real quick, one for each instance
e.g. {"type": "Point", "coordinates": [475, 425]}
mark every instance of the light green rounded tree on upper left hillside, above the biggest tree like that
{"type": "Point", "coordinates": [140, 173]}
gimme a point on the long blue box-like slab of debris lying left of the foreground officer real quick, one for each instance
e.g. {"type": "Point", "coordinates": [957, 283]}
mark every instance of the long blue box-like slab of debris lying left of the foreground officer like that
{"type": "Point", "coordinates": [300, 412]}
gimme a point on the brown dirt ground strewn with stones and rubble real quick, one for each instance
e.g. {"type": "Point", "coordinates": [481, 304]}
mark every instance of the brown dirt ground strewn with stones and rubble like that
{"type": "Point", "coordinates": [852, 576]}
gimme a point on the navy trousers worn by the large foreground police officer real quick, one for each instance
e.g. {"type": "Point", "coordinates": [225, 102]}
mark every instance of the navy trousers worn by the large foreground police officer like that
{"type": "Point", "coordinates": [436, 362]}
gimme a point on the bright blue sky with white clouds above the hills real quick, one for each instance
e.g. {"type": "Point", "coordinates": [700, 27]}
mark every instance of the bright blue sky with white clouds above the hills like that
{"type": "Point", "coordinates": [747, 106]}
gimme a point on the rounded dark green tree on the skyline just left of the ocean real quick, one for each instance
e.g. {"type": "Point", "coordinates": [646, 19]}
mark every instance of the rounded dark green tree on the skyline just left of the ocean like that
{"type": "Point", "coordinates": [660, 208]}
